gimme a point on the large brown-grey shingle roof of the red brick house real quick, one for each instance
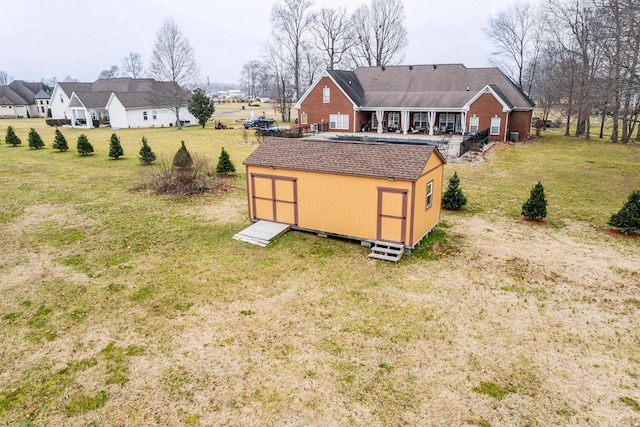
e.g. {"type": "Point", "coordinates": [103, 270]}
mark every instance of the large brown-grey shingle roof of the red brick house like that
{"type": "Point", "coordinates": [439, 86]}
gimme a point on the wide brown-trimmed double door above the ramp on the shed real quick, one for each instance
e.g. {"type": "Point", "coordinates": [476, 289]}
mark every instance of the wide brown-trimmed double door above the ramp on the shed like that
{"type": "Point", "coordinates": [275, 198]}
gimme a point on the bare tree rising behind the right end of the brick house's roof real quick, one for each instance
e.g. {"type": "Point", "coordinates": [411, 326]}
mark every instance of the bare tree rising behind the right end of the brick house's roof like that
{"type": "Point", "coordinates": [517, 34]}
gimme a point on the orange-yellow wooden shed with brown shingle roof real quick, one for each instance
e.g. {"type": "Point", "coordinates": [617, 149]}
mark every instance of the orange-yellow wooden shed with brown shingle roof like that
{"type": "Point", "coordinates": [365, 191]}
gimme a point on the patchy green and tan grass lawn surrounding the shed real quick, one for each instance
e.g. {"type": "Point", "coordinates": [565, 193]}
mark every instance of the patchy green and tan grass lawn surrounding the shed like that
{"type": "Point", "coordinates": [118, 307]}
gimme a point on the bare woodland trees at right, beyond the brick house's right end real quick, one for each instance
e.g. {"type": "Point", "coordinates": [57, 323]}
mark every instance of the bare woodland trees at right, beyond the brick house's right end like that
{"type": "Point", "coordinates": [579, 57]}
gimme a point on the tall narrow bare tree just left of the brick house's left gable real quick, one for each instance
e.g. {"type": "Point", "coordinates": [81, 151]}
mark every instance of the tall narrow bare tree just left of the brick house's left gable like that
{"type": "Point", "coordinates": [291, 21]}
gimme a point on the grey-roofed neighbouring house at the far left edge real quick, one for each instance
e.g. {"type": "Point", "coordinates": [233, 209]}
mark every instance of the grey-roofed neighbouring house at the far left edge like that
{"type": "Point", "coordinates": [21, 99]}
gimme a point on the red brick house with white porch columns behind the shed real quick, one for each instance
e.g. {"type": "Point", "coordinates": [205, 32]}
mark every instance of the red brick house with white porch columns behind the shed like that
{"type": "Point", "coordinates": [441, 98]}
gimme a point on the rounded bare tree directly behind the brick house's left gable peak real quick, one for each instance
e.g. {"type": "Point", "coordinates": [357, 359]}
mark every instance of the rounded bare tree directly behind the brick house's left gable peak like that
{"type": "Point", "coordinates": [333, 35]}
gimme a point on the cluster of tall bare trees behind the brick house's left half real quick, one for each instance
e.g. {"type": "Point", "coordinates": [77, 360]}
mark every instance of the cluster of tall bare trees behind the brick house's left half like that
{"type": "Point", "coordinates": [306, 41]}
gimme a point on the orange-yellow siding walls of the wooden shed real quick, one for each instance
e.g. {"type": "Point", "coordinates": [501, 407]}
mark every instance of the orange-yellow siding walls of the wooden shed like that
{"type": "Point", "coordinates": [348, 205]}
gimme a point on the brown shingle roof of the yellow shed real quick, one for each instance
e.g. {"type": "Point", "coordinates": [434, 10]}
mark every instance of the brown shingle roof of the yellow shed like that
{"type": "Point", "coordinates": [400, 161]}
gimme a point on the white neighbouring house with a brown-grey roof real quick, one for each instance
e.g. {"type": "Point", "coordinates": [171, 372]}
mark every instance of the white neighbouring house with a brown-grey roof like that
{"type": "Point", "coordinates": [118, 102]}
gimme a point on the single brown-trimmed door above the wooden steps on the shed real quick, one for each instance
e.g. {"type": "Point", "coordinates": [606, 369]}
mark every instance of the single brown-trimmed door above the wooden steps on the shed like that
{"type": "Point", "coordinates": [392, 215]}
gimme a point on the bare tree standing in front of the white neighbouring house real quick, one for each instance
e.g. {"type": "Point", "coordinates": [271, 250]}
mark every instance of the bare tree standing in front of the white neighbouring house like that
{"type": "Point", "coordinates": [173, 61]}
